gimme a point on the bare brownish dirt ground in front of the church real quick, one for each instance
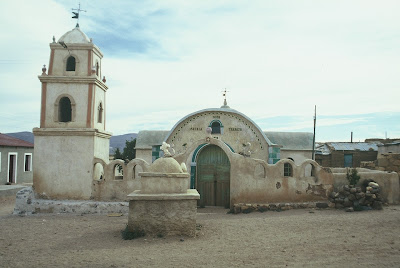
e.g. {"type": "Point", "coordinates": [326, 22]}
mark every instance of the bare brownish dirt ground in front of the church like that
{"type": "Point", "coordinates": [295, 238]}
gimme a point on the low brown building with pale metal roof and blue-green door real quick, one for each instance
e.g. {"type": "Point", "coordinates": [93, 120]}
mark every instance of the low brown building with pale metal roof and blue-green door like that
{"type": "Point", "coordinates": [345, 154]}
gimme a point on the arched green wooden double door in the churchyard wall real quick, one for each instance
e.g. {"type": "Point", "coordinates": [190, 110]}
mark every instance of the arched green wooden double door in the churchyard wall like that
{"type": "Point", "coordinates": [213, 175]}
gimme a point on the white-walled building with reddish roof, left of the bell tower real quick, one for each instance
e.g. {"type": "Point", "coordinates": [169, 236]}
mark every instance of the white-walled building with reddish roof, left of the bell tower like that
{"type": "Point", "coordinates": [15, 160]}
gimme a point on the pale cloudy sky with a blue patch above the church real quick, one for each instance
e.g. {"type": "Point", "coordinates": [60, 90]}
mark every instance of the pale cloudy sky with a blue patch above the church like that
{"type": "Point", "coordinates": [166, 59]}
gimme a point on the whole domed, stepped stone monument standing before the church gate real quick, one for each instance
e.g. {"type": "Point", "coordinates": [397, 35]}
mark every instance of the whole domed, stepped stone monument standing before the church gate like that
{"type": "Point", "coordinates": [165, 205]}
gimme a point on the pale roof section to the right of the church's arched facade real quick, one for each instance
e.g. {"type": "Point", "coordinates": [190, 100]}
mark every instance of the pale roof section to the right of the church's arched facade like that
{"type": "Point", "coordinates": [291, 140]}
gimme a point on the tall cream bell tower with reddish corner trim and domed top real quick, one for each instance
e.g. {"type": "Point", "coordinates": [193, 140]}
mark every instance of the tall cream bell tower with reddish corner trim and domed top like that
{"type": "Point", "coordinates": [72, 119]}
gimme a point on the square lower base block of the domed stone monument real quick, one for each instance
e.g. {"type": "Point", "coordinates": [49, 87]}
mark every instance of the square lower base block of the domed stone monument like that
{"type": "Point", "coordinates": [163, 214]}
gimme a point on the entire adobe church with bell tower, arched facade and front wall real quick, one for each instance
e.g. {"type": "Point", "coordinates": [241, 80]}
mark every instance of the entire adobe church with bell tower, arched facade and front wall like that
{"type": "Point", "coordinates": [229, 158]}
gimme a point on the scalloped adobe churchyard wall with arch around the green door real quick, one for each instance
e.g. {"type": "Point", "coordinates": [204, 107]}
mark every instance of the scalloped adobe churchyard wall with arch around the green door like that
{"type": "Point", "coordinates": [251, 180]}
